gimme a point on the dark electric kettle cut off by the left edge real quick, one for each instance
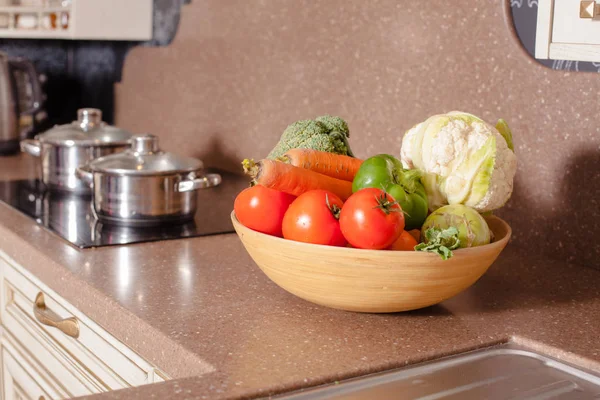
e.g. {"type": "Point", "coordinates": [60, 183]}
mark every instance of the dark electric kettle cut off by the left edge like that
{"type": "Point", "coordinates": [20, 100]}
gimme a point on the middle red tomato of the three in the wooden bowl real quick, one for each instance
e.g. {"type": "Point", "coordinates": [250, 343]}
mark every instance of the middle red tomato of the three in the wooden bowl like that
{"type": "Point", "coordinates": [313, 218]}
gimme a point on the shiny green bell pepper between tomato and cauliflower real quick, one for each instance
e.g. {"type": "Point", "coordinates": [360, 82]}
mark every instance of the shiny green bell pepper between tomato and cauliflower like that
{"type": "Point", "coordinates": [386, 172]}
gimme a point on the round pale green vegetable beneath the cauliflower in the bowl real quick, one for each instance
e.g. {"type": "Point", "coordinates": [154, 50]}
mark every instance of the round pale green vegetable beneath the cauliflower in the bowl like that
{"type": "Point", "coordinates": [472, 228]}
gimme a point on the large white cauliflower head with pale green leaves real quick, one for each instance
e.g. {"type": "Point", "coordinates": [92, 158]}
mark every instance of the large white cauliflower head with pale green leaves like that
{"type": "Point", "coordinates": [464, 160]}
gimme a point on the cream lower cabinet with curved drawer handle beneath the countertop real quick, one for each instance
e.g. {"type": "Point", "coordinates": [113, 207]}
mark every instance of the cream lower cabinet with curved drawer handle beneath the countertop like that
{"type": "Point", "coordinates": [51, 349]}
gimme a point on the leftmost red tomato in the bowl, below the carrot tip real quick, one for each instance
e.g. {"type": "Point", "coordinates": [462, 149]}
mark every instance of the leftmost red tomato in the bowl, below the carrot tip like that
{"type": "Point", "coordinates": [262, 209]}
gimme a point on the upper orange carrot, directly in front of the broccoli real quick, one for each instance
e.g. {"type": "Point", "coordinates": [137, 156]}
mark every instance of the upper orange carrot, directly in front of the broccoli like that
{"type": "Point", "coordinates": [334, 165]}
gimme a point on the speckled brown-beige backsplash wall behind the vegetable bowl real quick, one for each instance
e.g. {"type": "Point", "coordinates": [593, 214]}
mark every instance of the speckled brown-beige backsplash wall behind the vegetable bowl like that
{"type": "Point", "coordinates": [239, 72]}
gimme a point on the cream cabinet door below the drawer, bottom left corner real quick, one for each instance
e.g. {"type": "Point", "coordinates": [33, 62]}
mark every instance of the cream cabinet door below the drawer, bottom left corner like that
{"type": "Point", "coordinates": [20, 381]}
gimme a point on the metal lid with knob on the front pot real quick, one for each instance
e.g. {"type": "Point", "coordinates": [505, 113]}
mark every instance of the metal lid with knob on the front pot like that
{"type": "Point", "coordinates": [144, 158]}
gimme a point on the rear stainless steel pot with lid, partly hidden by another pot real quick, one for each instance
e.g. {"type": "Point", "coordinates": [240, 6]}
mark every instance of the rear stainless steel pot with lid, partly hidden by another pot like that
{"type": "Point", "coordinates": [65, 147]}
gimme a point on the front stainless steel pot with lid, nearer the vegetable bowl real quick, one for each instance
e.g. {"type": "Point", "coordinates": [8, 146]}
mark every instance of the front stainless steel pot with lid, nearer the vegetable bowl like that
{"type": "Point", "coordinates": [145, 186]}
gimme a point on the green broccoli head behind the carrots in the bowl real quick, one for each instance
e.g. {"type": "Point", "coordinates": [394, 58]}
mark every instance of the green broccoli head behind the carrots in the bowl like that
{"type": "Point", "coordinates": [326, 133]}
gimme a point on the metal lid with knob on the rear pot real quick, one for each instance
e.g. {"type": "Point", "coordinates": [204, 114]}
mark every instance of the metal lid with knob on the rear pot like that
{"type": "Point", "coordinates": [89, 129]}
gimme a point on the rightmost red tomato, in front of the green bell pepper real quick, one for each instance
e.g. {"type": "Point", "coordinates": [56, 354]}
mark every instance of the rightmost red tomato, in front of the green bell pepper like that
{"type": "Point", "coordinates": [371, 219]}
